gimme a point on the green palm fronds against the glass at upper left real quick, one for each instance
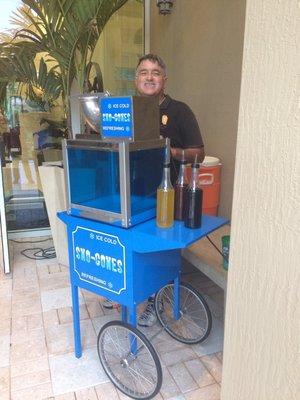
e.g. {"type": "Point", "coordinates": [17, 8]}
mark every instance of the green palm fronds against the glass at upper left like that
{"type": "Point", "coordinates": [65, 32]}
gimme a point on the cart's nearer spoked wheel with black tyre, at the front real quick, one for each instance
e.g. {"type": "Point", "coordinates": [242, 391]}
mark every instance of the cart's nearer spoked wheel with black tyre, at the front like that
{"type": "Point", "coordinates": [129, 360]}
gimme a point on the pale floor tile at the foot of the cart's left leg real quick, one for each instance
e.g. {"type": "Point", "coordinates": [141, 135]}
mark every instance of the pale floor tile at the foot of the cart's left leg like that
{"type": "Point", "coordinates": [70, 374]}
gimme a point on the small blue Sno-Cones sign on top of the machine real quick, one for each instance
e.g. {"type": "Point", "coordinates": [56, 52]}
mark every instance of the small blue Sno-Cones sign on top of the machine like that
{"type": "Point", "coordinates": [116, 117]}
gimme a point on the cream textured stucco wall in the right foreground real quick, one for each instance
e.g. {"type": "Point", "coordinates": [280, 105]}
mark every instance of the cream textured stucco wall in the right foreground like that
{"type": "Point", "coordinates": [262, 329]}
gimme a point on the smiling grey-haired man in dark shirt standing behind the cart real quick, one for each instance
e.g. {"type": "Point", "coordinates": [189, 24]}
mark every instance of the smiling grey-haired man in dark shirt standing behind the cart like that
{"type": "Point", "coordinates": [178, 123]}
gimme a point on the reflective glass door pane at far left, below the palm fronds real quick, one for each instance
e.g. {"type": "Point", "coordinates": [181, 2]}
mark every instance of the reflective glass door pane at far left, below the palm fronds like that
{"type": "Point", "coordinates": [25, 209]}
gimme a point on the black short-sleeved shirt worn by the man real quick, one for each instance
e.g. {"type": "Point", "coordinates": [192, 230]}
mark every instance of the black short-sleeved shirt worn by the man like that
{"type": "Point", "coordinates": [178, 122]}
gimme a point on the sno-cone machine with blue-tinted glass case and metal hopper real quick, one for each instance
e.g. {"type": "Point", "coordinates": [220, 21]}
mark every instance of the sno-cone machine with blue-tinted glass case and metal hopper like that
{"type": "Point", "coordinates": [112, 176]}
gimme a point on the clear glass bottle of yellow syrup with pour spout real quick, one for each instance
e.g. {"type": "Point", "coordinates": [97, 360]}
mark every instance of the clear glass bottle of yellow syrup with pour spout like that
{"type": "Point", "coordinates": [165, 200]}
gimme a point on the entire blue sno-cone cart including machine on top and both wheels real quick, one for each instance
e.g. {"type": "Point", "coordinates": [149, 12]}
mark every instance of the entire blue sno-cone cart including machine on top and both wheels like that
{"type": "Point", "coordinates": [117, 251]}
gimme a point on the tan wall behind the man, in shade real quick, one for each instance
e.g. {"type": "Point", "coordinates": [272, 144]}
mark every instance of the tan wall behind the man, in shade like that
{"type": "Point", "coordinates": [201, 42]}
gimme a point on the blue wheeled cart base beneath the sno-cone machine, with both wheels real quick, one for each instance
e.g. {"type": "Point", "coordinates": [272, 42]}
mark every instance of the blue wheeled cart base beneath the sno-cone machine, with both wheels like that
{"type": "Point", "coordinates": [128, 266]}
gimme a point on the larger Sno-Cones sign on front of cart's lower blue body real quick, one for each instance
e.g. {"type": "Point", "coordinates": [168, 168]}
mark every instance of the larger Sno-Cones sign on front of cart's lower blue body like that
{"type": "Point", "coordinates": [99, 259]}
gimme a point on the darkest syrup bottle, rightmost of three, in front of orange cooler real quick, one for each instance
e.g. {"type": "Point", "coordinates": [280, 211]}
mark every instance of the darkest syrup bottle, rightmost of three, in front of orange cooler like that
{"type": "Point", "coordinates": [194, 196]}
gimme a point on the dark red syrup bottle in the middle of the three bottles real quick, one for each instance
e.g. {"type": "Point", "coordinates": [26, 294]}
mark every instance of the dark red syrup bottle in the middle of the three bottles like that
{"type": "Point", "coordinates": [180, 191]}
